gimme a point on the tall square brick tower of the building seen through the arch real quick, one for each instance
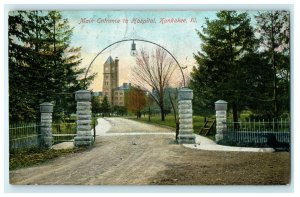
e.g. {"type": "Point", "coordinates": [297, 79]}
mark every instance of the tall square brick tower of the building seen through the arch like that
{"type": "Point", "coordinates": [110, 78]}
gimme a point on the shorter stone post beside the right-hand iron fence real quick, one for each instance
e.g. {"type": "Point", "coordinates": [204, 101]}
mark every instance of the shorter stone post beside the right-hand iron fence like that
{"type": "Point", "coordinates": [221, 119]}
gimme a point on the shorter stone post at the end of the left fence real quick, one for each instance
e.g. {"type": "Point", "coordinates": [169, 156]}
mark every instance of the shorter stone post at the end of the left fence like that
{"type": "Point", "coordinates": [46, 110]}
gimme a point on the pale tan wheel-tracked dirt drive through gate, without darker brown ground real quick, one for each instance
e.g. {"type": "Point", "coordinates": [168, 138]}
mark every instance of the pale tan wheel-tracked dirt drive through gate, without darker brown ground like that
{"type": "Point", "coordinates": [115, 158]}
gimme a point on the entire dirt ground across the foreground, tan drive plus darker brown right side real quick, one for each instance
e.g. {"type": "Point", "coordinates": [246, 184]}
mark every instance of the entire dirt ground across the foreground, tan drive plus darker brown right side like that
{"type": "Point", "coordinates": [154, 159]}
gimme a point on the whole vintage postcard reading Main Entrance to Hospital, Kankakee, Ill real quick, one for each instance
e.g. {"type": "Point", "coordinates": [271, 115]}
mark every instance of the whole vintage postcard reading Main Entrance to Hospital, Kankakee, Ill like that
{"type": "Point", "coordinates": [131, 97]}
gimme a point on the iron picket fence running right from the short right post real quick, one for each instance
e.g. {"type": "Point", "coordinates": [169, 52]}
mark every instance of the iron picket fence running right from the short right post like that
{"type": "Point", "coordinates": [259, 132]}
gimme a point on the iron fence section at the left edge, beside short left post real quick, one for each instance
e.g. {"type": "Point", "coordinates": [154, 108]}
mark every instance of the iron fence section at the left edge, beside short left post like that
{"type": "Point", "coordinates": [24, 135]}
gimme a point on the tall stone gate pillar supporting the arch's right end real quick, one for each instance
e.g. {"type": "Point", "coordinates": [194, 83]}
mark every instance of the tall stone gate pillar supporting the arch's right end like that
{"type": "Point", "coordinates": [185, 110]}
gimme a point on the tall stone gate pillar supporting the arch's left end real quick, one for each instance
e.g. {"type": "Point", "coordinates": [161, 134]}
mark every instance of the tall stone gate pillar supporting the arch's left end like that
{"type": "Point", "coordinates": [84, 136]}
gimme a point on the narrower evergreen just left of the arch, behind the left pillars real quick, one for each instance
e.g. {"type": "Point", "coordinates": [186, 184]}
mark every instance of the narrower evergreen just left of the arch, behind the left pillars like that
{"type": "Point", "coordinates": [64, 64]}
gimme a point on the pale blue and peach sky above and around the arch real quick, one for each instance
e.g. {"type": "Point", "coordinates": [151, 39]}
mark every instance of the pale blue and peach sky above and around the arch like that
{"type": "Point", "coordinates": [180, 39]}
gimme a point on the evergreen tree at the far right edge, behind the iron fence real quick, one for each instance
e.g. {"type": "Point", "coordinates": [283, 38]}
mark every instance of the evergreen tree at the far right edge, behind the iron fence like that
{"type": "Point", "coordinates": [274, 35]}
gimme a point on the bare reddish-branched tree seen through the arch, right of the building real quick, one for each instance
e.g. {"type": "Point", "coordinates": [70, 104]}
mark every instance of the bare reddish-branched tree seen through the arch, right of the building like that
{"type": "Point", "coordinates": [153, 72]}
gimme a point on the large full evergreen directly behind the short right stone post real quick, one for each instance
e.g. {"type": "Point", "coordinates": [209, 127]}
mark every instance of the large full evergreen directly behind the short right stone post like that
{"type": "Point", "coordinates": [222, 72]}
